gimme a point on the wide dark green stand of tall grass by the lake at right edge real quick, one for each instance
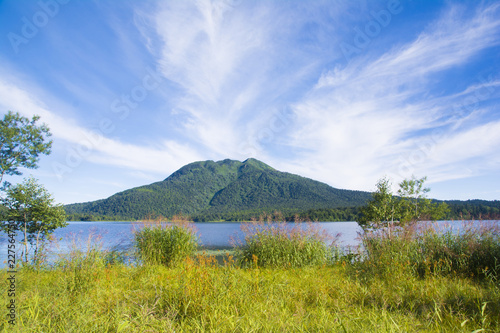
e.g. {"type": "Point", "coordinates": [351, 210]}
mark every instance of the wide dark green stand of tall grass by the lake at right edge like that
{"type": "Point", "coordinates": [428, 248]}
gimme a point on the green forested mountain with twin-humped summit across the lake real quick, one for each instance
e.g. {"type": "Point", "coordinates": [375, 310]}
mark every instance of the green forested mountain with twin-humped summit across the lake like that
{"type": "Point", "coordinates": [223, 190]}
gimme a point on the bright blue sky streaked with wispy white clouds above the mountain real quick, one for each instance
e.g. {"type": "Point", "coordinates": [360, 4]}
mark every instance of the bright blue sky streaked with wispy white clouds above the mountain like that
{"type": "Point", "coordinates": [344, 92]}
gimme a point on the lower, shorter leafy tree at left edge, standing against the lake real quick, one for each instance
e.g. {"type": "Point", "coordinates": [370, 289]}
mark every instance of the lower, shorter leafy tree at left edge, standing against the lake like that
{"type": "Point", "coordinates": [30, 209]}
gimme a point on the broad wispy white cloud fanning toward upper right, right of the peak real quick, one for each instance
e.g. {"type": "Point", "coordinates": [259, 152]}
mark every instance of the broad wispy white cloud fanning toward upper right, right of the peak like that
{"type": "Point", "coordinates": [368, 118]}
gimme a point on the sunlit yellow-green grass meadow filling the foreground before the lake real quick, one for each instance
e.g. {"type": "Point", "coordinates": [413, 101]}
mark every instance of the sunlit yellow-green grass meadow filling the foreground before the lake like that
{"type": "Point", "coordinates": [374, 292]}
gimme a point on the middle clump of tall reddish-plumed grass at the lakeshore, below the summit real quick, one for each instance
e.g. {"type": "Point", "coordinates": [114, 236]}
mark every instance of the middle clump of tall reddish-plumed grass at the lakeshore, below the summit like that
{"type": "Point", "coordinates": [278, 244]}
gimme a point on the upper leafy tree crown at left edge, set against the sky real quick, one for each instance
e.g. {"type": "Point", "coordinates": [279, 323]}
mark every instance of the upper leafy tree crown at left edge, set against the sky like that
{"type": "Point", "coordinates": [21, 142]}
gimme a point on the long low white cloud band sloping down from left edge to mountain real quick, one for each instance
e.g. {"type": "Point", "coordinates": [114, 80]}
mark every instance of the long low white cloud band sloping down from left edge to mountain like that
{"type": "Point", "coordinates": [92, 145]}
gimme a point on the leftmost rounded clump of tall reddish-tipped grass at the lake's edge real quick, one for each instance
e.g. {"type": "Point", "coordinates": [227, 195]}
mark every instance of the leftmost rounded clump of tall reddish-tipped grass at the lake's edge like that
{"type": "Point", "coordinates": [165, 243]}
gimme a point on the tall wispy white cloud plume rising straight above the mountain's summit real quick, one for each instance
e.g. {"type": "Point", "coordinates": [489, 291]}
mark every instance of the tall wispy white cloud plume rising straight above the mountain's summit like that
{"type": "Point", "coordinates": [236, 64]}
